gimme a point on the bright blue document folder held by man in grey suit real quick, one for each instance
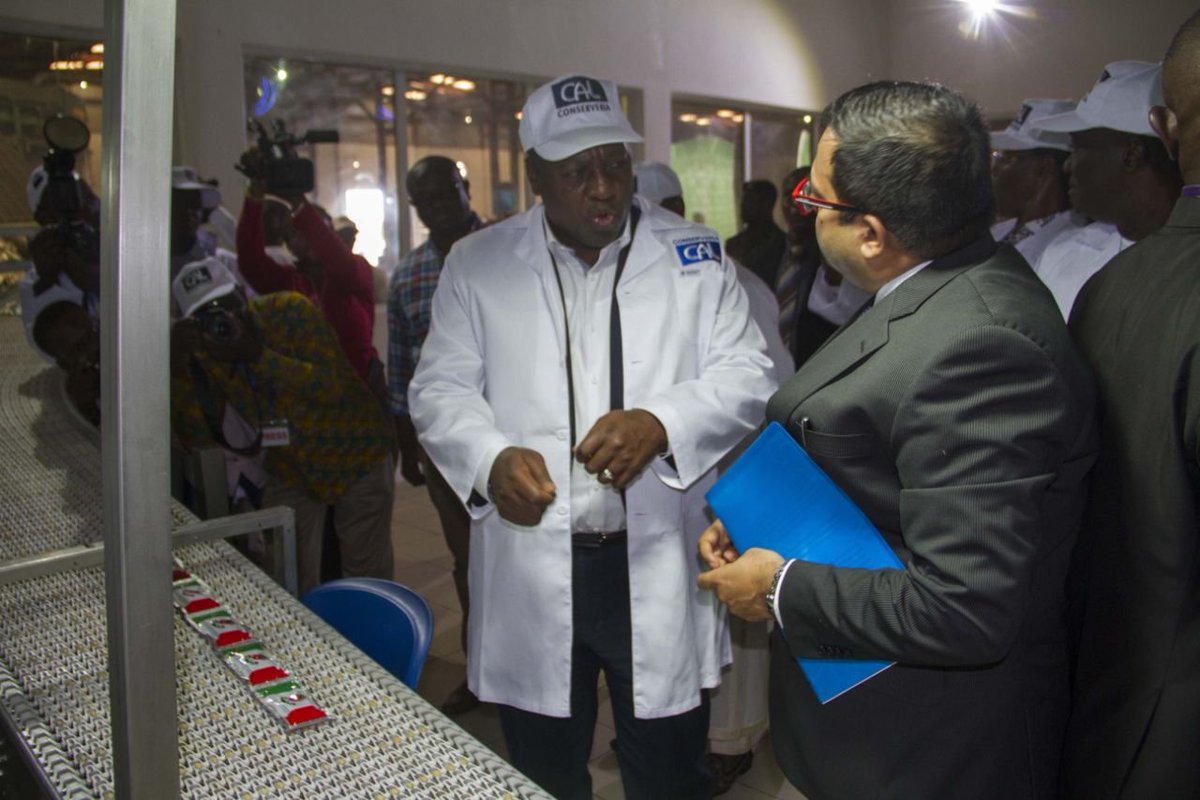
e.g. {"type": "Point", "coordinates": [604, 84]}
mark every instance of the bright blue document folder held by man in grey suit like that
{"type": "Point", "coordinates": [777, 497]}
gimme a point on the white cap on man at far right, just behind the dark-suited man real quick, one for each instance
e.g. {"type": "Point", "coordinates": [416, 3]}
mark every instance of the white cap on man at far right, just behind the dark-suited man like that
{"type": "Point", "coordinates": [1120, 100]}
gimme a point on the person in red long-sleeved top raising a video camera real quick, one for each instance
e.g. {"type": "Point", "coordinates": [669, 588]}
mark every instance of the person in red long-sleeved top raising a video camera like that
{"type": "Point", "coordinates": [340, 284]}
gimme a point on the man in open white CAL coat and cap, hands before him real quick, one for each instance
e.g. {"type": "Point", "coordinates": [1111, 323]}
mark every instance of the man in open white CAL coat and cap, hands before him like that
{"type": "Point", "coordinates": [587, 364]}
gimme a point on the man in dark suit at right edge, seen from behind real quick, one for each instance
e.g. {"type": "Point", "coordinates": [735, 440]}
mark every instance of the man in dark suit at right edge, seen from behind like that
{"type": "Point", "coordinates": [1136, 724]}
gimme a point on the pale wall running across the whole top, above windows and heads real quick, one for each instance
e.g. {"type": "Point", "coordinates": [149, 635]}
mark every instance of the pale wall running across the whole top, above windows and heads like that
{"type": "Point", "coordinates": [787, 53]}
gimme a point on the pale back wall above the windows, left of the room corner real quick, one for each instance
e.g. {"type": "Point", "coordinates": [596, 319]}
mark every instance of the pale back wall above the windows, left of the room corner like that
{"type": "Point", "coordinates": [787, 53]}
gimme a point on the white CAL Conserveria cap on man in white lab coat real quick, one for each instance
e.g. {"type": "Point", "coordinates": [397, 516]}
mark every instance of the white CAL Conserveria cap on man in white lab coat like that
{"type": "Point", "coordinates": [572, 115]}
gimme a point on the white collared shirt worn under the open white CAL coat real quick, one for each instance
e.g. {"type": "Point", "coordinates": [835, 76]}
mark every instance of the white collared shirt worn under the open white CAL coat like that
{"type": "Point", "coordinates": [587, 292]}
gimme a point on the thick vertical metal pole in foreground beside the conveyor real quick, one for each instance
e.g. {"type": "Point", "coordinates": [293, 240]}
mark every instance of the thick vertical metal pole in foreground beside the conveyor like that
{"type": "Point", "coordinates": [140, 38]}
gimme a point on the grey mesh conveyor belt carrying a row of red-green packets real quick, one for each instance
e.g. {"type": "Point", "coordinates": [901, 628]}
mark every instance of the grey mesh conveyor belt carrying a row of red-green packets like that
{"type": "Point", "coordinates": [382, 742]}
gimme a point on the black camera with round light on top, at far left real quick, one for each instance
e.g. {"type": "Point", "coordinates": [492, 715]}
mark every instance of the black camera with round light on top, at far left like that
{"type": "Point", "coordinates": [67, 136]}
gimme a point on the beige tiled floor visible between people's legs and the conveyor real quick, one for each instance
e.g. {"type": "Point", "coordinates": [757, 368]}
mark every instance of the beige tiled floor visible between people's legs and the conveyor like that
{"type": "Point", "coordinates": [423, 563]}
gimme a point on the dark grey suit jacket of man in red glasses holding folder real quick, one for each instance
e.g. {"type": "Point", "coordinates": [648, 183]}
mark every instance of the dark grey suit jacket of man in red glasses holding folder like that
{"type": "Point", "coordinates": [959, 417]}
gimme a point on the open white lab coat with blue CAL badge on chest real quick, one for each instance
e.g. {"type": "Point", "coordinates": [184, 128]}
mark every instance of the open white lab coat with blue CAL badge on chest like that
{"type": "Point", "coordinates": [493, 376]}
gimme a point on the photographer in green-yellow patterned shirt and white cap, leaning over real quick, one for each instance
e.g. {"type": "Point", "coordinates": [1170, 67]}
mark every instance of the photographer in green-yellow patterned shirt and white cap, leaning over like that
{"type": "Point", "coordinates": [278, 363]}
